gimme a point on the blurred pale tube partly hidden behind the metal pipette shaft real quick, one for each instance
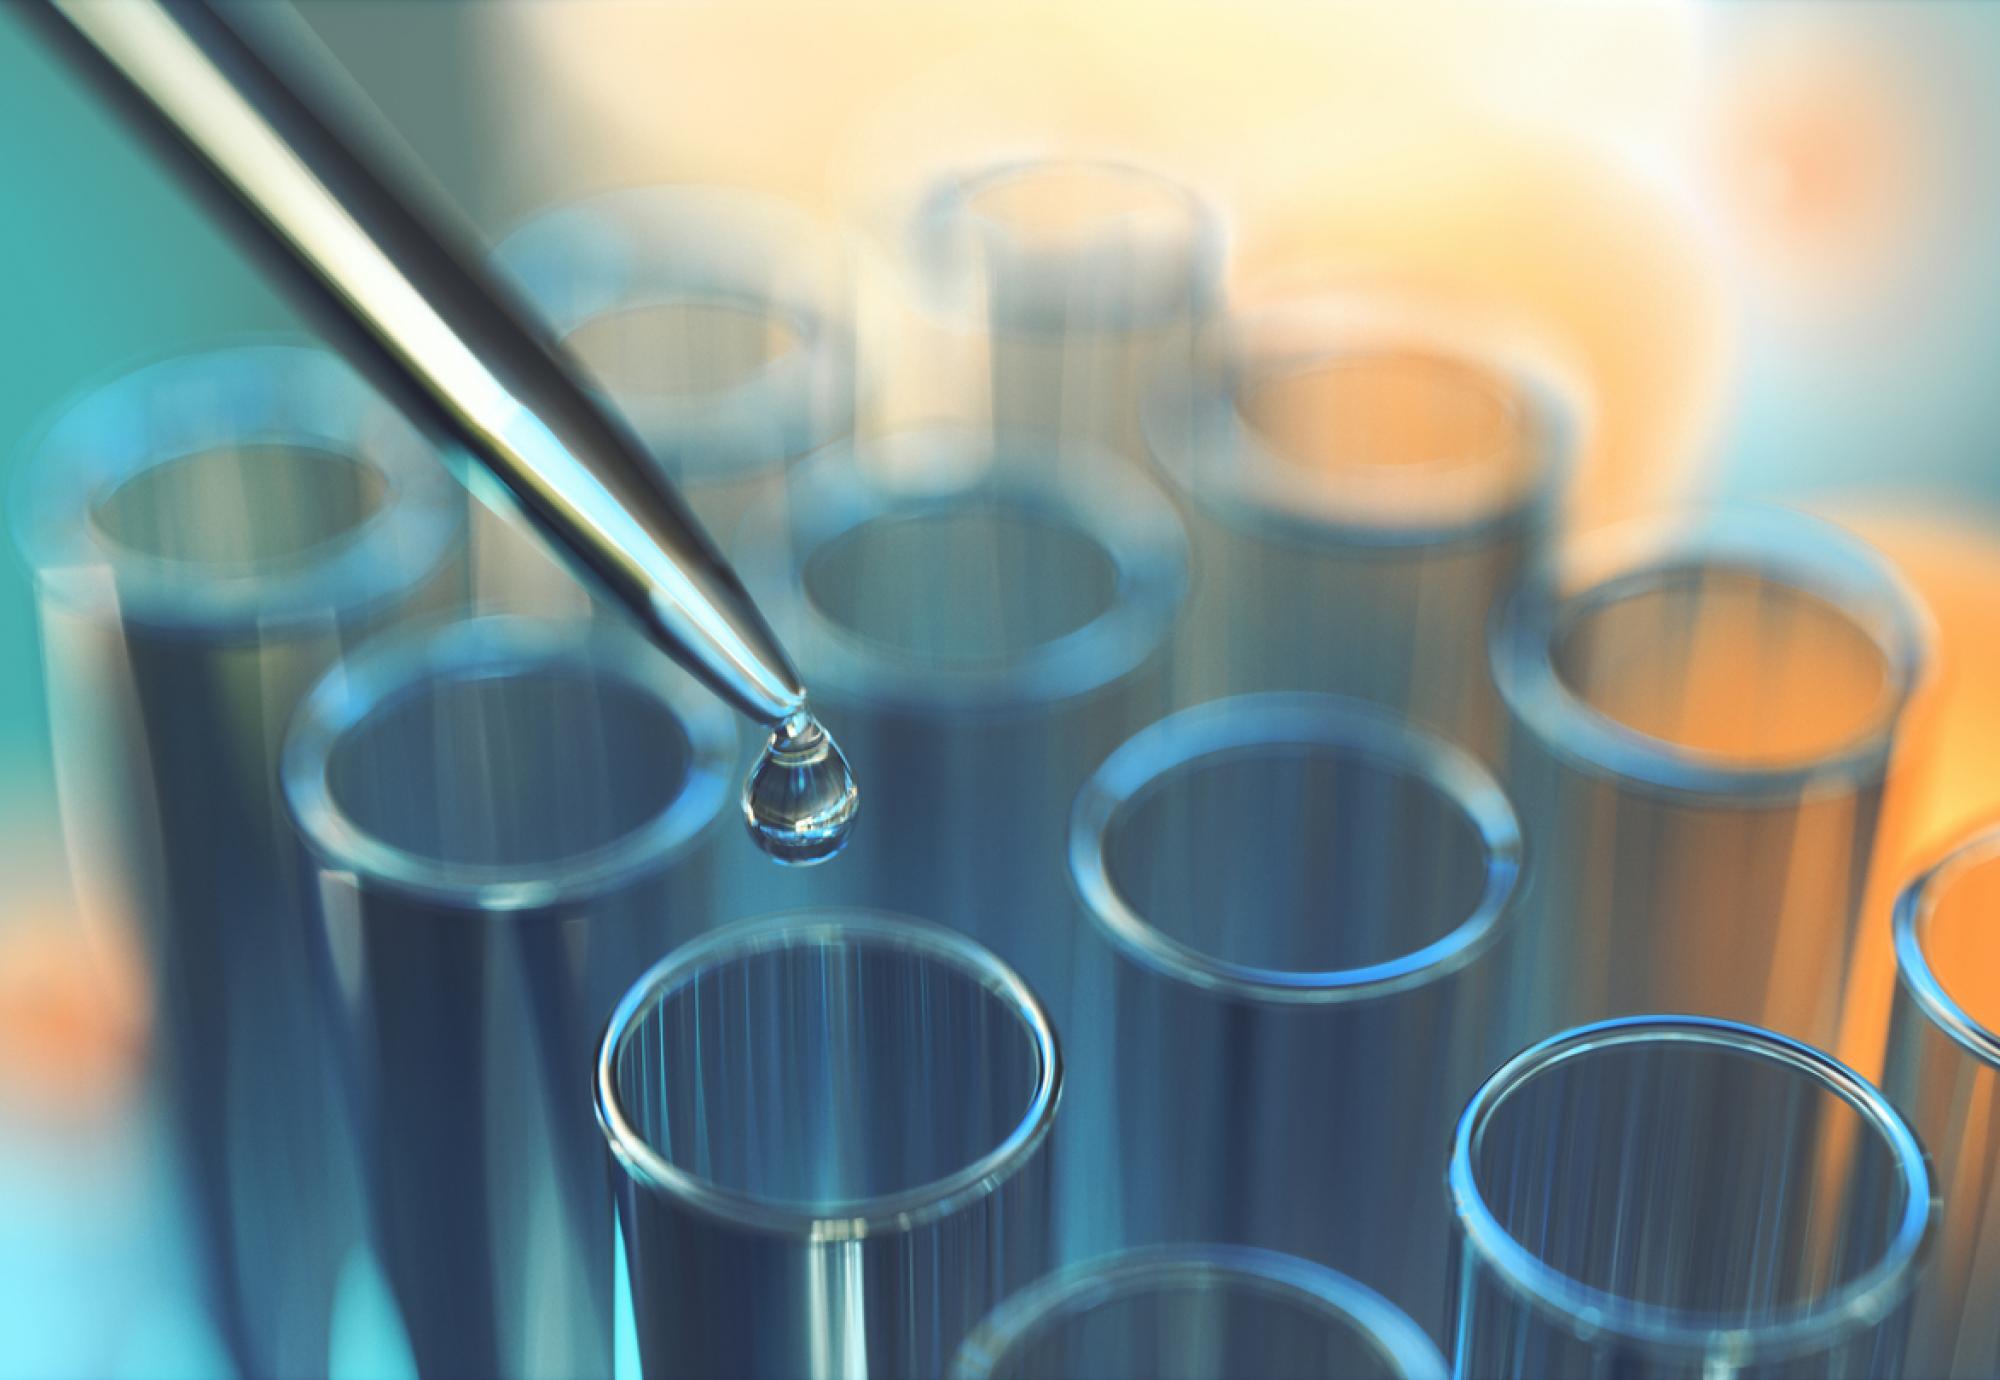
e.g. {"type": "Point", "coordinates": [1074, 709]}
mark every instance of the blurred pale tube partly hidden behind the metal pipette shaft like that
{"type": "Point", "coordinates": [717, 321]}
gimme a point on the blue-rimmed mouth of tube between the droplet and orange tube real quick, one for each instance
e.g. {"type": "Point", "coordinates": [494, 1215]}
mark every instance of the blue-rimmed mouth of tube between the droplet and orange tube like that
{"type": "Point", "coordinates": [1295, 847]}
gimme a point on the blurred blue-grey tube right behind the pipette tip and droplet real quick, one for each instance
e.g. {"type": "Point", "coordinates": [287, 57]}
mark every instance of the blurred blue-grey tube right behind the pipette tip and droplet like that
{"type": "Point", "coordinates": [981, 631]}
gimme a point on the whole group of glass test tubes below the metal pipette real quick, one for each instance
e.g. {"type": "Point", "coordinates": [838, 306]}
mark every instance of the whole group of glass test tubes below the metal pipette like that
{"type": "Point", "coordinates": [1315, 909]}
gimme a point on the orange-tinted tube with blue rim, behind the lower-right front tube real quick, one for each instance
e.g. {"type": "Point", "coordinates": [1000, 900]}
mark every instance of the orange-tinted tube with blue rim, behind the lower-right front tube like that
{"type": "Point", "coordinates": [1701, 721]}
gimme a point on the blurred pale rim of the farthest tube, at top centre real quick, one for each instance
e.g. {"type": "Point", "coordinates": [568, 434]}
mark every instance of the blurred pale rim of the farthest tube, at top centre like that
{"type": "Point", "coordinates": [1177, 279]}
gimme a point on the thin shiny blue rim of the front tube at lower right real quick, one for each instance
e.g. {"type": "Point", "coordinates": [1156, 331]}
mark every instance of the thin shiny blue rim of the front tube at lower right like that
{"type": "Point", "coordinates": [1851, 1307]}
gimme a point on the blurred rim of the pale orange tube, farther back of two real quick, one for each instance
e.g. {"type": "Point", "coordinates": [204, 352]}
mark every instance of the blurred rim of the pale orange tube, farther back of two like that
{"type": "Point", "coordinates": [1199, 437]}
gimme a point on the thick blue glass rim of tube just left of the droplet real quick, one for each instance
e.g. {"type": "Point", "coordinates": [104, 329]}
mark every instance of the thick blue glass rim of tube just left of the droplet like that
{"type": "Point", "coordinates": [491, 649]}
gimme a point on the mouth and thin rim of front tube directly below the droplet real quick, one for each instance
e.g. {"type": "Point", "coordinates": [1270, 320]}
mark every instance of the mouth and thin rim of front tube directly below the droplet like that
{"type": "Point", "coordinates": [805, 1071]}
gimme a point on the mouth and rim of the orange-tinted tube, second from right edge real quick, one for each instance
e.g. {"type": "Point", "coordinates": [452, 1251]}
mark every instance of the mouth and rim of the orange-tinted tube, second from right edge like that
{"type": "Point", "coordinates": [1753, 647]}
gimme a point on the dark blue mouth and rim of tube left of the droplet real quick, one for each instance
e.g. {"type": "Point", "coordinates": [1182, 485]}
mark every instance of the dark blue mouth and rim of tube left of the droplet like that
{"type": "Point", "coordinates": [507, 755]}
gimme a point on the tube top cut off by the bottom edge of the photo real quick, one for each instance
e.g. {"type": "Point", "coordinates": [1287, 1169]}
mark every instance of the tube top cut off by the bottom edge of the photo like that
{"type": "Point", "coordinates": [1197, 1313]}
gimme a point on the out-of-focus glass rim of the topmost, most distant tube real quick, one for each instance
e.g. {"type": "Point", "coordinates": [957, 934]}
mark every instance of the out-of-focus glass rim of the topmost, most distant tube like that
{"type": "Point", "coordinates": [945, 215]}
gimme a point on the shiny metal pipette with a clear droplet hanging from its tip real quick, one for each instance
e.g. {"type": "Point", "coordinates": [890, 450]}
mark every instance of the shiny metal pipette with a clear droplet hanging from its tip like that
{"type": "Point", "coordinates": [409, 299]}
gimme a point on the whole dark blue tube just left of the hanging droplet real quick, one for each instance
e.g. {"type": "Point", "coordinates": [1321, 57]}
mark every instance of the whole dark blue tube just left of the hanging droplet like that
{"type": "Point", "coordinates": [509, 819]}
